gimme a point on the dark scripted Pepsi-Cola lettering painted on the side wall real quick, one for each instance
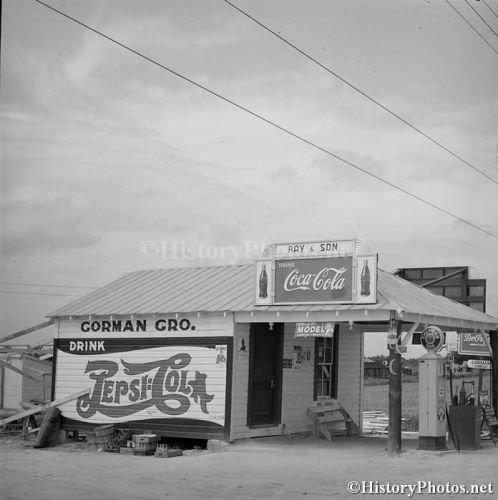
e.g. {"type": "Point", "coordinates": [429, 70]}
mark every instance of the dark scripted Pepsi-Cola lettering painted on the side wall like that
{"type": "Point", "coordinates": [165, 384]}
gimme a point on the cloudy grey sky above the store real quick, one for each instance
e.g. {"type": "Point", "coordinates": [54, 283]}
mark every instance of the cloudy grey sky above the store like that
{"type": "Point", "coordinates": [111, 164]}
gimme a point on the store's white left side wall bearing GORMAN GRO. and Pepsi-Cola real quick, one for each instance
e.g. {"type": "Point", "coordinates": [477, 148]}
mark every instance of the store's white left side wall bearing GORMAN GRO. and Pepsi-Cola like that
{"type": "Point", "coordinates": [140, 386]}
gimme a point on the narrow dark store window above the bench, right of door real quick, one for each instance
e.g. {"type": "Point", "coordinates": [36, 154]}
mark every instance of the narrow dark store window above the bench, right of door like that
{"type": "Point", "coordinates": [325, 367]}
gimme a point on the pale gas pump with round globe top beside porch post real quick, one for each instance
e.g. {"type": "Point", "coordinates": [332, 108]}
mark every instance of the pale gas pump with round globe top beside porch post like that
{"type": "Point", "coordinates": [432, 392]}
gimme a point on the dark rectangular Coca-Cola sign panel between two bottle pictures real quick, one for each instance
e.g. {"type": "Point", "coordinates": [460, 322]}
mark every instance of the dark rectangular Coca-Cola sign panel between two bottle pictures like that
{"type": "Point", "coordinates": [320, 280]}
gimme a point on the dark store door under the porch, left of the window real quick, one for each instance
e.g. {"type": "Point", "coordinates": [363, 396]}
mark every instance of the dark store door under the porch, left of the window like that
{"type": "Point", "coordinates": [265, 374]}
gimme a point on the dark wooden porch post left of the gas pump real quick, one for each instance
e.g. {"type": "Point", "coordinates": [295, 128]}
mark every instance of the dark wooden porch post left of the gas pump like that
{"type": "Point", "coordinates": [394, 429]}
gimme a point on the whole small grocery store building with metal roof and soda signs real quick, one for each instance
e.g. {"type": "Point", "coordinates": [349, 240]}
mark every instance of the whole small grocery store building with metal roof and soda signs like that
{"type": "Point", "coordinates": [232, 352]}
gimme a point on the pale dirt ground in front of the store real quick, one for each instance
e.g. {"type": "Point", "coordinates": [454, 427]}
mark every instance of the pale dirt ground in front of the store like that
{"type": "Point", "coordinates": [282, 467]}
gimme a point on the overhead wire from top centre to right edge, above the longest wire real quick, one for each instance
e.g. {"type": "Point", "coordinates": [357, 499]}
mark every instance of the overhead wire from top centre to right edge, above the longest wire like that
{"type": "Point", "coordinates": [364, 94]}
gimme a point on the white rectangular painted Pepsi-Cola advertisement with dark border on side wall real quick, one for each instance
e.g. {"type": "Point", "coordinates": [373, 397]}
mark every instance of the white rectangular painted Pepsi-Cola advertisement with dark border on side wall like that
{"type": "Point", "coordinates": [128, 384]}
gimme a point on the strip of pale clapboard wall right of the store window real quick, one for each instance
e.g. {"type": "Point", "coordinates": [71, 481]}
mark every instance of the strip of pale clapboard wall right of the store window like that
{"type": "Point", "coordinates": [349, 385]}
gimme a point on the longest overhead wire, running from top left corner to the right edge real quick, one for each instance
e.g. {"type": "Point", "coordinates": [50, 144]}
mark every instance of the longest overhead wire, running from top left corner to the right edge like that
{"type": "Point", "coordinates": [266, 120]}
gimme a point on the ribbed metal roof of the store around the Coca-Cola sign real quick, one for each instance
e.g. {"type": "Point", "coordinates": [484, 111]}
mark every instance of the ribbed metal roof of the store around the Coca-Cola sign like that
{"type": "Point", "coordinates": [231, 288]}
